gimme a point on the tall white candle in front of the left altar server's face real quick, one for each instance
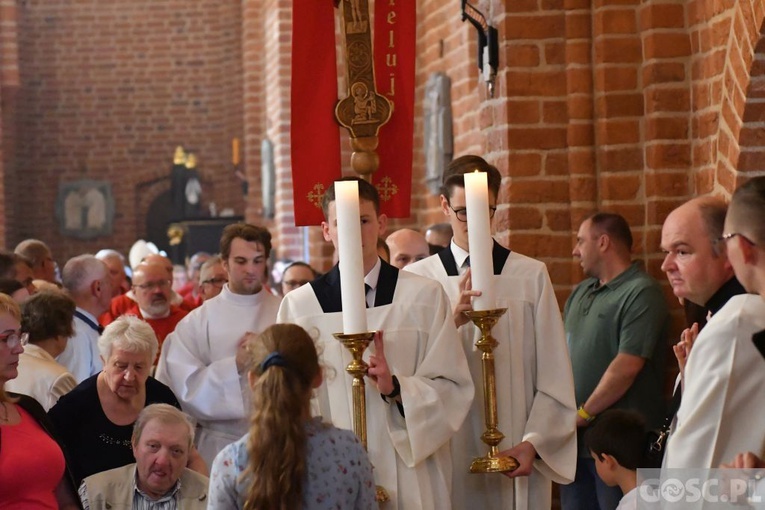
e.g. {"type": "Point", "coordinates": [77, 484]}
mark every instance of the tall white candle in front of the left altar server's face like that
{"type": "Point", "coordinates": [351, 261]}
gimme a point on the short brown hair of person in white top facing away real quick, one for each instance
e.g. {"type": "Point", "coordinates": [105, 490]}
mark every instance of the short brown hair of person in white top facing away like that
{"type": "Point", "coordinates": [47, 314]}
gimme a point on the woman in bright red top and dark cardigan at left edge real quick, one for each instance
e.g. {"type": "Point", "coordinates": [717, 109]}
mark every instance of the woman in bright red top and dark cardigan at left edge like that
{"type": "Point", "coordinates": [26, 481]}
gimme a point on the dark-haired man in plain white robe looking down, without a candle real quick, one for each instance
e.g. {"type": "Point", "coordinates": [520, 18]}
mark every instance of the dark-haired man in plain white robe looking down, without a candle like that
{"type": "Point", "coordinates": [203, 359]}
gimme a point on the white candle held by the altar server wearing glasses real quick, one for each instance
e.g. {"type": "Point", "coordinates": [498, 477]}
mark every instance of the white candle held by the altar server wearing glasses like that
{"type": "Point", "coordinates": [479, 239]}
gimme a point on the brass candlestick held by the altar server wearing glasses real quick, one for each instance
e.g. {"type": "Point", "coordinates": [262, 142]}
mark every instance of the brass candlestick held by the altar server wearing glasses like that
{"type": "Point", "coordinates": [492, 462]}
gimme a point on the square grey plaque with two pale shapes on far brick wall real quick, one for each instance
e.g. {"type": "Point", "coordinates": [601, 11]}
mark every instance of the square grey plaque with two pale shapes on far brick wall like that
{"type": "Point", "coordinates": [85, 209]}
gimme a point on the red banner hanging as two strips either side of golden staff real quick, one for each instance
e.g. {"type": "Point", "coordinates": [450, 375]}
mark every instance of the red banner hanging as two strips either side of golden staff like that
{"type": "Point", "coordinates": [314, 132]}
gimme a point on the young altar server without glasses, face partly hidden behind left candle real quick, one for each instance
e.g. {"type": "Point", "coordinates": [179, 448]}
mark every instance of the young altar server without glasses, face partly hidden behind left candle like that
{"type": "Point", "coordinates": [418, 386]}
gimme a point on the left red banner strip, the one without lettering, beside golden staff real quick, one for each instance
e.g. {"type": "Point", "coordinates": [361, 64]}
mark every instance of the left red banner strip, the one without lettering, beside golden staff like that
{"type": "Point", "coordinates": [315, 136]}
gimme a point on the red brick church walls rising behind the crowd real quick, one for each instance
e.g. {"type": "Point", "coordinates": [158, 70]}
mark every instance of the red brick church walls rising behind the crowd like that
{"type": "Point", "coordinates": [614, 104]}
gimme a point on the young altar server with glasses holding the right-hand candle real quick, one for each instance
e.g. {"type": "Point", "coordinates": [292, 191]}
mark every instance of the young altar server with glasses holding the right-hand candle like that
{"type": "Point", "coordinates": [535, 389]}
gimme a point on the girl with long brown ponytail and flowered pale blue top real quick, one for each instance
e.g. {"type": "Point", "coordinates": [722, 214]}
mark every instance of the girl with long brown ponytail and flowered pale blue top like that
{"type": "Point", "coordinates": [289, 460]}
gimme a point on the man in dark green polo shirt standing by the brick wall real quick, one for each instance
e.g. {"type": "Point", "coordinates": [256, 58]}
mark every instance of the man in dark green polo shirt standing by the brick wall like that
{"type": "Point", "coordinates": [616, 323]}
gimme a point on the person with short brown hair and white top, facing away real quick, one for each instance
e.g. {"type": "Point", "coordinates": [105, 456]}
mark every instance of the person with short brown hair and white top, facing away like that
{"type": "Point", "coordinates": [47, 320]}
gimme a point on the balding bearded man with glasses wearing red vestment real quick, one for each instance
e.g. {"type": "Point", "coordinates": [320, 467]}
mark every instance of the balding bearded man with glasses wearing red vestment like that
{"type": "Point", "coordinates": [151, 288]}
